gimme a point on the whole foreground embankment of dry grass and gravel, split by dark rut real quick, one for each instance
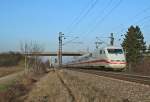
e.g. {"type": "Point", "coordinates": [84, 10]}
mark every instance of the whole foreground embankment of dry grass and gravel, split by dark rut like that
{"type": "Point", "coordinates": [71, 86]}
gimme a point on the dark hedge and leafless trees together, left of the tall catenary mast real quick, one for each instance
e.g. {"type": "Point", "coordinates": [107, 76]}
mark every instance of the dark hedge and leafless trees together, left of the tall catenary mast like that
{"type": "Point", "coordinates": [33, 64]}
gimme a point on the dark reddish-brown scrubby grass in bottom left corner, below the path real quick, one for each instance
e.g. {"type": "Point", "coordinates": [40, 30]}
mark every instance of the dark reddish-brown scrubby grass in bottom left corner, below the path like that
{"type": "Point", "coordinates": [16, 91]}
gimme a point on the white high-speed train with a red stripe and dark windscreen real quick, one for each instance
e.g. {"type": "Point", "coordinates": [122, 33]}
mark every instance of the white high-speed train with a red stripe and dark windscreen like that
{"type": "Point", "coordinates": [107, 57]}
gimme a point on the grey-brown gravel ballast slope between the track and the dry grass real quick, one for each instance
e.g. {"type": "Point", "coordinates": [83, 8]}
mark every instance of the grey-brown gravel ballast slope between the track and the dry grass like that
{"type": "Point", "coordinates": [122, 91]}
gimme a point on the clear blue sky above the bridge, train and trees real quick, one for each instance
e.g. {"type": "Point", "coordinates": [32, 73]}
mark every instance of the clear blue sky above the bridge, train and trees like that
{"type": "Point", "coordinates": [41, 20]}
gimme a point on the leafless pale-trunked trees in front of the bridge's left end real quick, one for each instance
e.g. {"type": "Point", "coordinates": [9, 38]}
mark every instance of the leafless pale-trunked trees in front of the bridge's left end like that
{"type": "Point", "coordinates": [32, 63]}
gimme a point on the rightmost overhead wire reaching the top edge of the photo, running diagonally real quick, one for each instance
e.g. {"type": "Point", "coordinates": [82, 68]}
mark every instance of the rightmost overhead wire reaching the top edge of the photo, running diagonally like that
{"type": "Point", "coordinates": [105, 16]}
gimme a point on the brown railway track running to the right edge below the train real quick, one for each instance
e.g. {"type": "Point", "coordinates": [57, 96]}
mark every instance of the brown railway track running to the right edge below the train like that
{"type": "Point", "coordinates": [118, 75]}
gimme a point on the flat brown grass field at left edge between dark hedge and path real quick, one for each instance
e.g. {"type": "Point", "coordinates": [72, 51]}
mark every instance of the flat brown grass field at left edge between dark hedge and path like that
{"type": "Point", "coordinates": [4, 71]}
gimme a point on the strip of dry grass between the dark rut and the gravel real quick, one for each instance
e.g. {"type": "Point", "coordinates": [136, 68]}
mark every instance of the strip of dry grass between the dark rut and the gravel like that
{"type": "Point", "coordinates": [85, 91]}
